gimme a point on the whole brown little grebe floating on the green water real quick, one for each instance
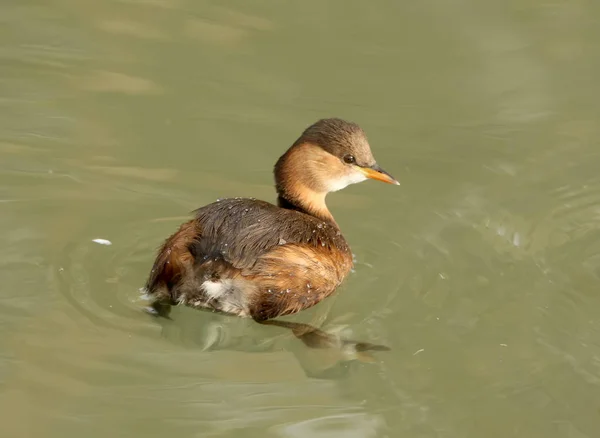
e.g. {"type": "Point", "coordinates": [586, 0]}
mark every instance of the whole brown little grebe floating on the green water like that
{"type": "Point", "coordinates": [250, 258]}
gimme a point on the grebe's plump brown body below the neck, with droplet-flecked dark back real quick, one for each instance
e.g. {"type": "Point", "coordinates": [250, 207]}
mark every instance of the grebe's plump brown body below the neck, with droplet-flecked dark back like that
{"type": "Point", "coordinates": [250, 258]}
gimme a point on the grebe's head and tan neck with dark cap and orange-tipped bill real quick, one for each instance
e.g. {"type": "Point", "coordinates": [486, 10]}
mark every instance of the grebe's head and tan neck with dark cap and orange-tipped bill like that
{"type": "Point", "coordinates": [329, 155]}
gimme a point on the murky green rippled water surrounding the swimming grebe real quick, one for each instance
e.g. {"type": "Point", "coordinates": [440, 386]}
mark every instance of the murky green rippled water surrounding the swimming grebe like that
{"type": "Point", "coordinates": [481, 271]}
